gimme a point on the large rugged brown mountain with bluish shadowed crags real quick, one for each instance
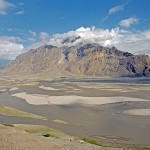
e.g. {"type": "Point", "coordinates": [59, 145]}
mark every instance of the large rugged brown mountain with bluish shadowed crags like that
{"type": "Point", "coordinates": [79, 60]}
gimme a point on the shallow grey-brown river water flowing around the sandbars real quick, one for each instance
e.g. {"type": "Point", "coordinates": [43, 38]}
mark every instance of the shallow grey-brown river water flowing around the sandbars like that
{"type": "Point", "coordinates": [95, 122]}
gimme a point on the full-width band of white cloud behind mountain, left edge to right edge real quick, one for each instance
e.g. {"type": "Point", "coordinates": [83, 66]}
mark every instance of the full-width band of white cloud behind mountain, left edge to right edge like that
{"type": "Point", "coordinates": [135, 42]}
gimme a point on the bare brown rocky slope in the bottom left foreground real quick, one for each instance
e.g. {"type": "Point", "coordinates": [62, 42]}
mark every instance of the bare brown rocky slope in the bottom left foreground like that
{"type": "Point", "coordinates": [15, 139]}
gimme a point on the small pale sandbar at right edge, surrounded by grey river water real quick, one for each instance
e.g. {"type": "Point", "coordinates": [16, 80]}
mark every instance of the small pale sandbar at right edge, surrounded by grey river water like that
{"type": "Point", "coordinates": [138, 112]}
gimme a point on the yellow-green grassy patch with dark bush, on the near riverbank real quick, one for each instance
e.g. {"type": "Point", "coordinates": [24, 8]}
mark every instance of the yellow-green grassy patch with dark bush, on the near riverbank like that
{"type": "Point", "coordinates": [40, 130]}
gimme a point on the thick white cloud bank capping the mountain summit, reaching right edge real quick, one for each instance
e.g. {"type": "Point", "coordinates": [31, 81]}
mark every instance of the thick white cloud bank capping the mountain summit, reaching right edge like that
{"type": "Point", "coordinates": [134, 42]}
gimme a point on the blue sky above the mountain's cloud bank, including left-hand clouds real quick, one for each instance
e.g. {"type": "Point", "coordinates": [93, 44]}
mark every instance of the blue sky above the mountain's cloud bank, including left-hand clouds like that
{"type": "Point", "coordinates": [26, 22]}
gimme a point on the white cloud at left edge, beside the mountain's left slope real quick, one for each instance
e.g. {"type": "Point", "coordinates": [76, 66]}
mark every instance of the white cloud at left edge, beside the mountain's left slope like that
{"type": "Point", "coordinates": [9, 48]}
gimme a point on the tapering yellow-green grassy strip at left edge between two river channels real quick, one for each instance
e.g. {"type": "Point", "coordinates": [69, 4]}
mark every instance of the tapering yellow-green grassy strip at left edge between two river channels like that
{"type": "Point", "coordinates": [8, 111]}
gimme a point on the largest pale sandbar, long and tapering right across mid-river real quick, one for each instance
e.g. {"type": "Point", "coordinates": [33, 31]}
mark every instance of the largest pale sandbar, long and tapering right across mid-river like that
{"type": "Point", "coordinates": [37, 99]}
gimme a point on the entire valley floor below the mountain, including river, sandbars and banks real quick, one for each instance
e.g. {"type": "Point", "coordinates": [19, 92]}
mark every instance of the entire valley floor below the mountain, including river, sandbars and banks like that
{"type": "Point", "coordinates": [98, 111]}
